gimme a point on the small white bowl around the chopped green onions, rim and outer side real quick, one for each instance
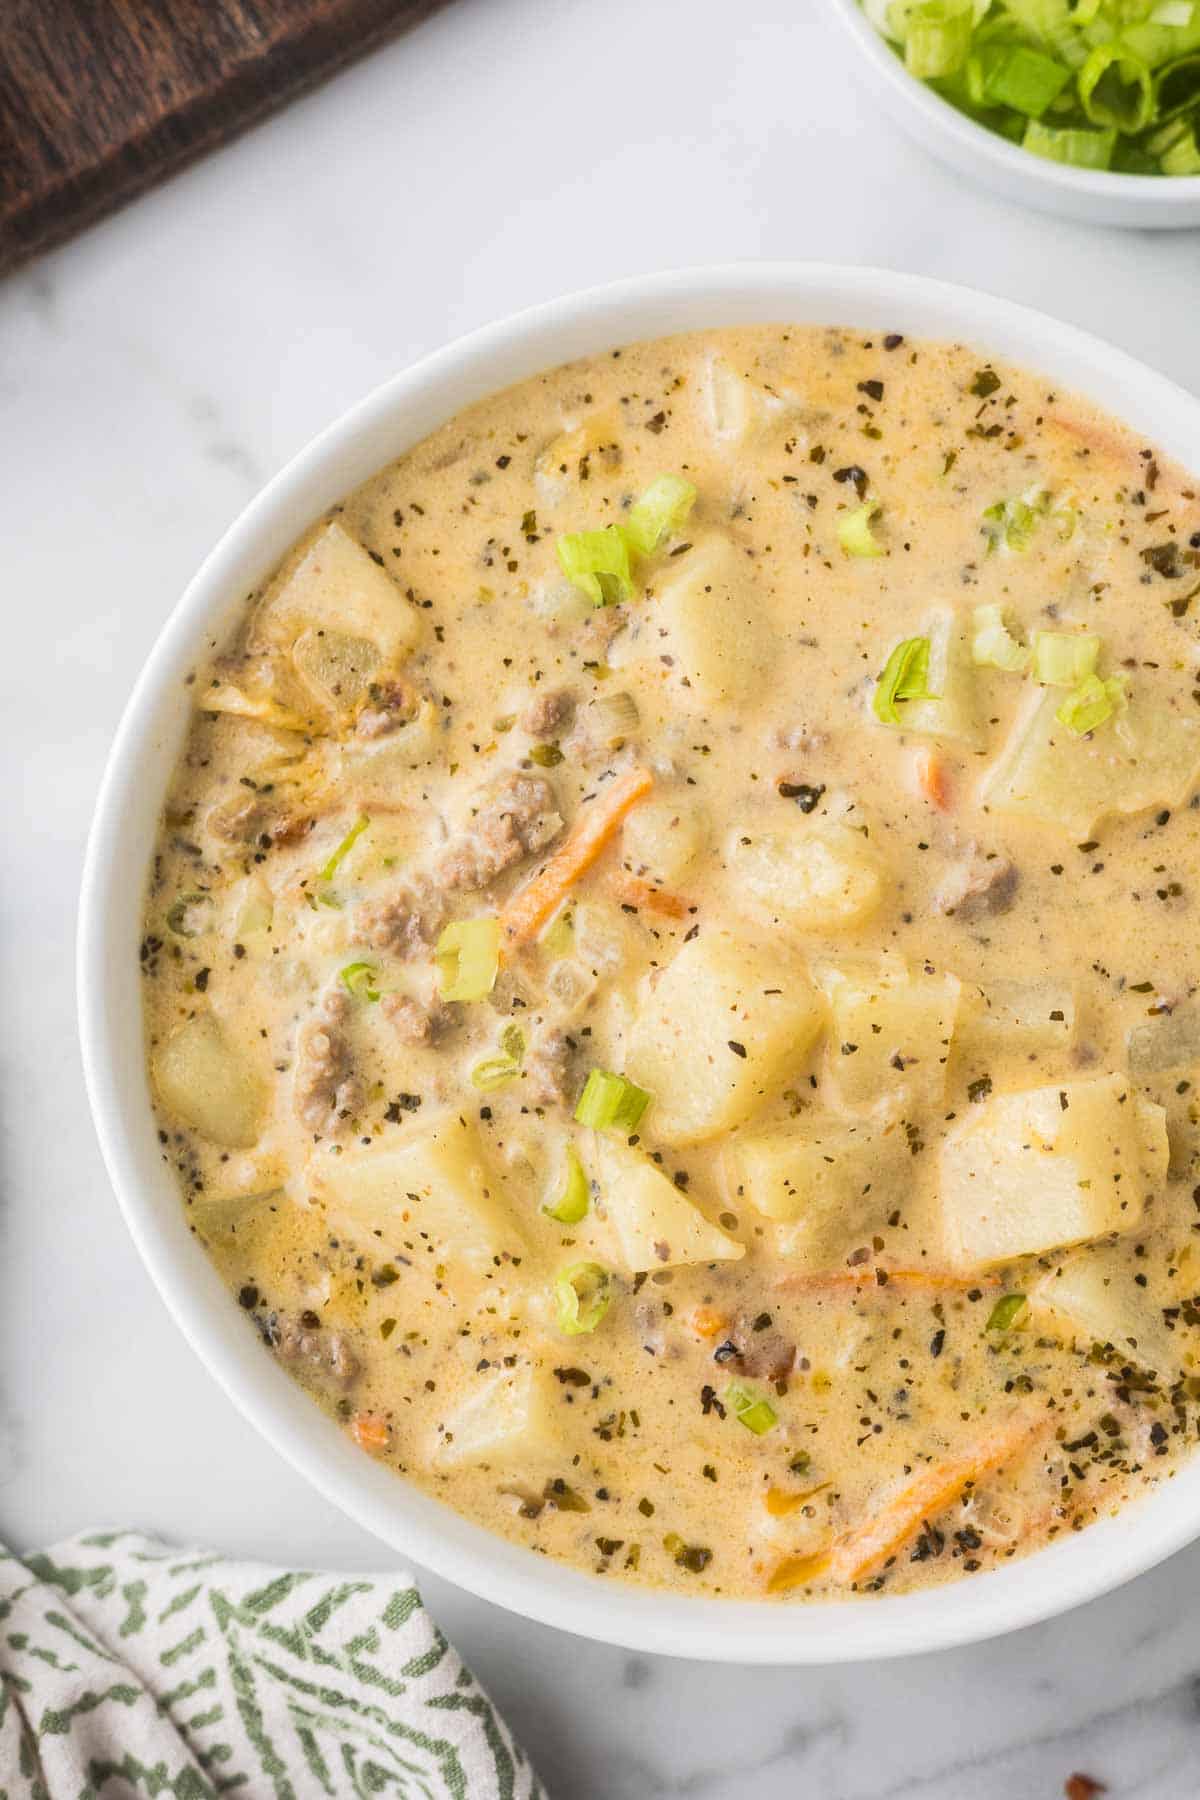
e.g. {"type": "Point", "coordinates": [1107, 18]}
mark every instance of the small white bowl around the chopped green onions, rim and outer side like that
{"type": "Point", "coordinates": [1095, 197]}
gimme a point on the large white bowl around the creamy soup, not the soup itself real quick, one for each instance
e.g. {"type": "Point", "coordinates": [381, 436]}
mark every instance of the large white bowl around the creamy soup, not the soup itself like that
{"type": "Point", "coordinates": [148, 741]}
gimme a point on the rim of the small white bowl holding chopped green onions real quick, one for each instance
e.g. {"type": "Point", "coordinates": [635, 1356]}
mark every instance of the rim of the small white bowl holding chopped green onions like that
{"type": "Point", "coordinates": [1158, 192]}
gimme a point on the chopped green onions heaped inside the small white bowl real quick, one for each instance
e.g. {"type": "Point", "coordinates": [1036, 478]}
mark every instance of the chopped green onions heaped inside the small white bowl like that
{"type": "Point", "coordinates": [1088, 84]}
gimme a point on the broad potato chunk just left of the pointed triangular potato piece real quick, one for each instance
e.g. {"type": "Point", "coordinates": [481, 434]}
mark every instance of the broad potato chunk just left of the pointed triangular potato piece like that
{"type": "Point", "coordinates": [433, 1191]}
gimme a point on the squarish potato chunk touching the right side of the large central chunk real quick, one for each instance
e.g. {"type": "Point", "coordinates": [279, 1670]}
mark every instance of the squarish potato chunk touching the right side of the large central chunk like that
{"type": "Point", "coordinates": [890, 1032]}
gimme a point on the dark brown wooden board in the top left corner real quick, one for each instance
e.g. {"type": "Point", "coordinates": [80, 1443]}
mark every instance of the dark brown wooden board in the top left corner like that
{"type": "Point", "coordinates": [103, 98]}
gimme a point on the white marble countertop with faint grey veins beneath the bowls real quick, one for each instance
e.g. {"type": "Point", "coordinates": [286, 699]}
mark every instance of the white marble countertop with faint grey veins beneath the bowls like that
{"type": "Point", "coordinates": [152, 377]}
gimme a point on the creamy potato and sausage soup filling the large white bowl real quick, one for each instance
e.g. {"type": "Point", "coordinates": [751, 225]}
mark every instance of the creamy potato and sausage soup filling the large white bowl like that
{"type": "Point", "coordinates": [670, 964]}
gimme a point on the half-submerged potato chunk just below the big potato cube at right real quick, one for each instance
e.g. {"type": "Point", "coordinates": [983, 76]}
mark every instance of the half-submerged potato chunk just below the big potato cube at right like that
{"type": "Point", "coordinates": [1095, 1299]}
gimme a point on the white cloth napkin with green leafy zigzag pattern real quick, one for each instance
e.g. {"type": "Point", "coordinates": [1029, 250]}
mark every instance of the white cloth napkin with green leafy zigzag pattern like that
{"type": "Point", "coordinates": [132, 1669]}
